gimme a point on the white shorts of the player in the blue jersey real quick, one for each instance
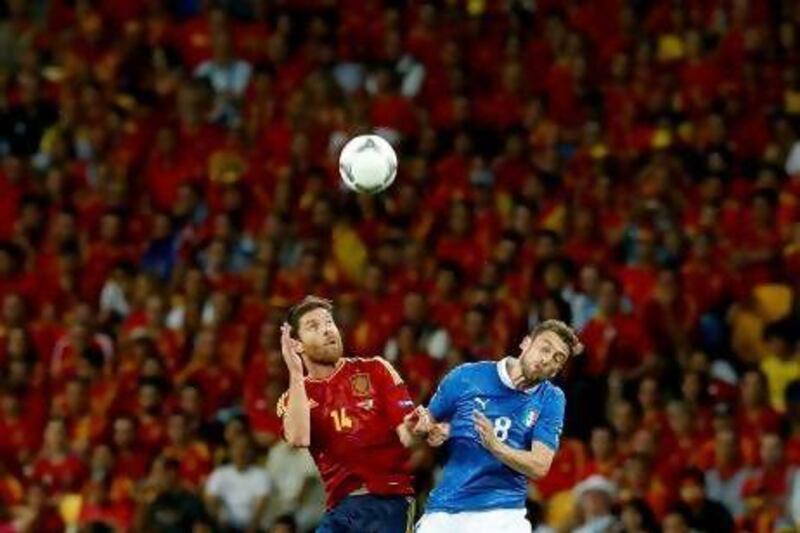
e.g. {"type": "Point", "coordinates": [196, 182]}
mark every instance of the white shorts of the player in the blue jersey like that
{"type": "Point", "coordinates": [496, 520]}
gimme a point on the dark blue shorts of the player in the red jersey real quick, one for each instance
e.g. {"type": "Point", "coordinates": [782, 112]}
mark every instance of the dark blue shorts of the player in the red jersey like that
{"type": "Point", "coordinates": [370, 514]}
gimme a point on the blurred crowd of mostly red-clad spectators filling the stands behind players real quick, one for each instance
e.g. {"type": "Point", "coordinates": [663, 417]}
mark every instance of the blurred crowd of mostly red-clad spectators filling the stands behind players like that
{"type": "Point", "coordinates": [169, 186]}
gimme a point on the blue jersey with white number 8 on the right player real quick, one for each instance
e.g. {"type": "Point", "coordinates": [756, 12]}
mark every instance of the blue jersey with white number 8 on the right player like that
{"type": "Point", "coordinates": [473, 479]}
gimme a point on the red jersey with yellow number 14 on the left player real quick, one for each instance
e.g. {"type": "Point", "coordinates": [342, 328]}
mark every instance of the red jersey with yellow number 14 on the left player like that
{"type": "Point", "coordinates": [354, 415]}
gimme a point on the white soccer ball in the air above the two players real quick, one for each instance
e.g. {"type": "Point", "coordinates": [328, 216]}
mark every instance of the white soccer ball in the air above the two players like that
{"type": "Point", "coordinates": [368, 164]}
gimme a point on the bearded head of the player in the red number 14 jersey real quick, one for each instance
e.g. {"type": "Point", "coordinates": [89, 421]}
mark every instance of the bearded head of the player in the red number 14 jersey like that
{"type": "Point", "coordinates": [311, 323]}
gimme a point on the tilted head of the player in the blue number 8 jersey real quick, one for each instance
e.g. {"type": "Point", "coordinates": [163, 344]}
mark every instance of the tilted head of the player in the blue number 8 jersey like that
{"type": "Point", "coordinates": [546, 349]}
